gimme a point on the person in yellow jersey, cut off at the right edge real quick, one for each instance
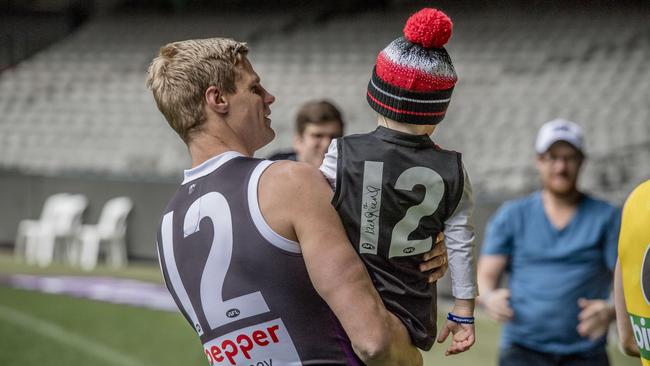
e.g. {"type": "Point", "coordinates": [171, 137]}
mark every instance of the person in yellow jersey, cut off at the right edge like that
{"type": "Point", "coordinates": [632, 277]}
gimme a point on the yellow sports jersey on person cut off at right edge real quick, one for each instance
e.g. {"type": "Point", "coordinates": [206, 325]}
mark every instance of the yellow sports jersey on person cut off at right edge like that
{"type": "Point", "coordinates": [633, 247]}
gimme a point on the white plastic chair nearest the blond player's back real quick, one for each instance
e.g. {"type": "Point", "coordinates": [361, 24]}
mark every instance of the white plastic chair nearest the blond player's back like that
{"type": "Point", "coordinates": [107, 236]}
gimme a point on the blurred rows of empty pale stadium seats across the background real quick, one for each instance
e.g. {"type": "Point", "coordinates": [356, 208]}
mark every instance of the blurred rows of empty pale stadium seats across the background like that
{"type": "Point", "coordinates": [80, 107]}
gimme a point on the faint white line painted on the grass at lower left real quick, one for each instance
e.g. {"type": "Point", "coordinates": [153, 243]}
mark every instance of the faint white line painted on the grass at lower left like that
{"type": "Point", "coordinates": [66, 337]}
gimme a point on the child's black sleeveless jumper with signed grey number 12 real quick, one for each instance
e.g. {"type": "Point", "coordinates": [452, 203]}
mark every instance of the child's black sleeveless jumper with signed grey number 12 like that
{"type": "Point", "coordinates": [394, 192]}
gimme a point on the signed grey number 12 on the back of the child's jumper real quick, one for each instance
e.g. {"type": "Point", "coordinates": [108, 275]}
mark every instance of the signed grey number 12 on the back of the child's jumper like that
{"type": "Point", "coordinates": [400, 245]}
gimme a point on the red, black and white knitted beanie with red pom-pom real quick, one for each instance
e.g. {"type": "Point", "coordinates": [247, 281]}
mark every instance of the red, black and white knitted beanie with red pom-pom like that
{"type": "Point", "coordinates": [413, 77]}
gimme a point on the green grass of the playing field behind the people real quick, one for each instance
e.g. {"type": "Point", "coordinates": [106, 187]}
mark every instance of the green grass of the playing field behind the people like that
{"type": "Point", "coordinates": [38, 328]}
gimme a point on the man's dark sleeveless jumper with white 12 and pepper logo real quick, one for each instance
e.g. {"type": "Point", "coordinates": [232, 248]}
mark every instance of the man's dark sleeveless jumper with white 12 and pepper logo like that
{"type": "Point", "coordinates": [241, 286]}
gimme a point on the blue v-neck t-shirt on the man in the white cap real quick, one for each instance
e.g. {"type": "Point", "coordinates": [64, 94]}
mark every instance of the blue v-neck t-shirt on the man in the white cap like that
{"type": "Point", "coordinates": [551, 269]}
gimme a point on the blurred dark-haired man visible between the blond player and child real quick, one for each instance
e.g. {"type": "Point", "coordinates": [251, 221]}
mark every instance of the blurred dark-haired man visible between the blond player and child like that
{"type": "Point", "coordinates": [318, 122]}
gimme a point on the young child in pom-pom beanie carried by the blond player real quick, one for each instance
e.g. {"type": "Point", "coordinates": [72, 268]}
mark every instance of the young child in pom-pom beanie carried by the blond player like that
{"type": "Point", "coordinates": [395, 190]}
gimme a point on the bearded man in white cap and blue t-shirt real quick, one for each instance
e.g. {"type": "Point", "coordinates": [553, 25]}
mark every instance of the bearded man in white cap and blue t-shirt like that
{"type": "Point", "coordinates": [558, 246]}
